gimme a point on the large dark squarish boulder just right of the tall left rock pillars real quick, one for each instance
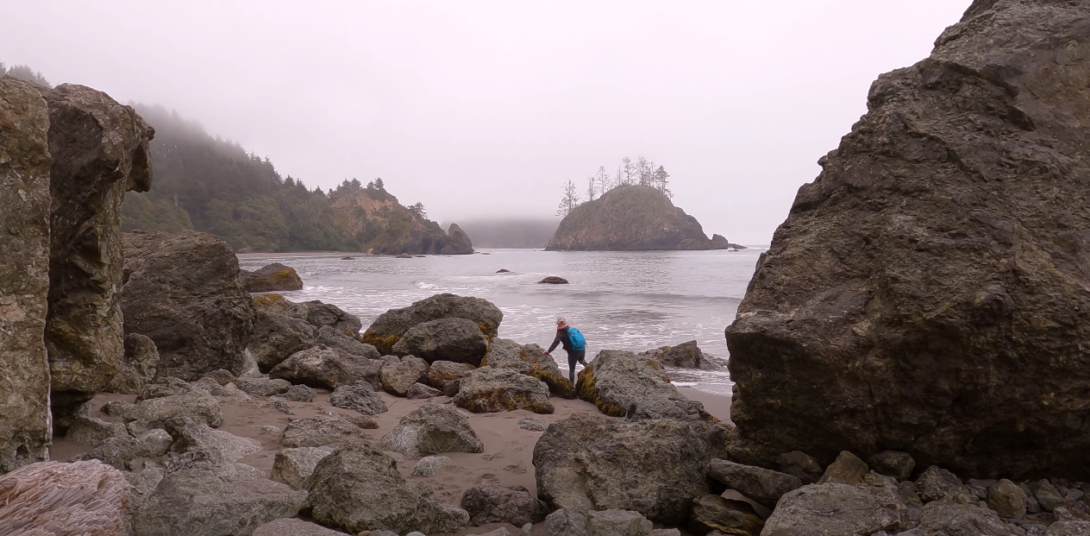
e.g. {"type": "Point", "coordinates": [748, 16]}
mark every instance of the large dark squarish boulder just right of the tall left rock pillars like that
{"type": "Point", "coordinates": [184, 293]}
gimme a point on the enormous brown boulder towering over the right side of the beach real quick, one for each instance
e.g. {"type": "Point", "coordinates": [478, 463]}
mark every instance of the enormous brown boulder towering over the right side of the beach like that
{"type": "Point", "coordinates": [937, 263]}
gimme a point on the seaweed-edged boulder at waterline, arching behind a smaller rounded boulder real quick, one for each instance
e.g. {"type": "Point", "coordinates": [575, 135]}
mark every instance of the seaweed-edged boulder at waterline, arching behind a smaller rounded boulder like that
{"type": "Point", "coordinates": [391, 326]}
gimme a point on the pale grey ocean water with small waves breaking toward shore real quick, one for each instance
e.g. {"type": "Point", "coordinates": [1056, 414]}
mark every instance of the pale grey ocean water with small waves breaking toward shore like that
{"type": "Point", "coordinates": [633, 301]}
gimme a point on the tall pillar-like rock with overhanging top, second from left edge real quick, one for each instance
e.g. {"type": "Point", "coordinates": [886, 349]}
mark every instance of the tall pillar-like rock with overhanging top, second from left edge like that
{"type": "Point", "coordinates": [100, 151]}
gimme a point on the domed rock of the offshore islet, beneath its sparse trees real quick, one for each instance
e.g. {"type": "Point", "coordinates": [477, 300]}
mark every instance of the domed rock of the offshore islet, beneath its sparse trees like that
{"type": "Point", "coordinates": [631, 218]}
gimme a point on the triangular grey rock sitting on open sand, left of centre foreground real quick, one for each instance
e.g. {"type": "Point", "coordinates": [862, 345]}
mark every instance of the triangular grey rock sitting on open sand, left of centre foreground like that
{"type": "Point", "coordinates": [433, 430]}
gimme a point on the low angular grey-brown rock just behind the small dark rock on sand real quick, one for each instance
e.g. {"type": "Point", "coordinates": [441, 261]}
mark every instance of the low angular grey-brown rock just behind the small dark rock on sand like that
{"type": "Point", "coordinates": [329, 369]}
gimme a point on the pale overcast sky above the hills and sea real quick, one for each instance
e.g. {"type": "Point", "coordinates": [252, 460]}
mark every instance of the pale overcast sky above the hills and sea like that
{"type": "Point", "coordinates": [486, 108]}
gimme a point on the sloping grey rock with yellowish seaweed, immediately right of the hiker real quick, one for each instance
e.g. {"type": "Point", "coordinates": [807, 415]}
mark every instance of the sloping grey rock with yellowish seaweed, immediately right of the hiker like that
{"type": "Point", "coordinates": [623, 384]}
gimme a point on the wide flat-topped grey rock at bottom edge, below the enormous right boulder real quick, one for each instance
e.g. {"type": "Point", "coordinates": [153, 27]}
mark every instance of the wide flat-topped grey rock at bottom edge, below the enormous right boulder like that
{"type": "Point", "coordinates": [839, 509]}
